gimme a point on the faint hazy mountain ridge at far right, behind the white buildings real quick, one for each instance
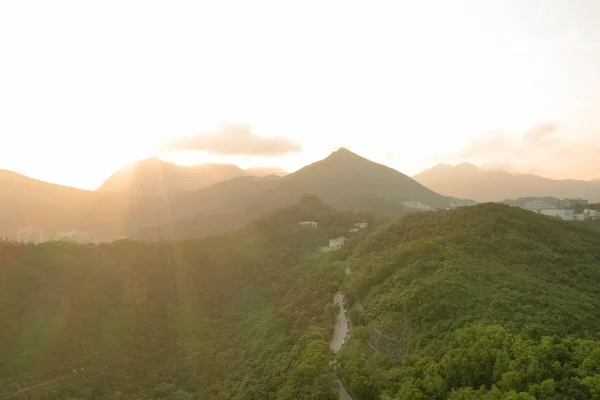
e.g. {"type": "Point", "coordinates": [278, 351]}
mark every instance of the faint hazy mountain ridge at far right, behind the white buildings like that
{"type": "Point", "coordinates": [483, 184]}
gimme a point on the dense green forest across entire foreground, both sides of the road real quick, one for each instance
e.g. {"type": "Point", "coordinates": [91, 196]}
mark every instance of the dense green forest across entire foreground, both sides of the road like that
{"type": "Point", "coordinates": [483, 302]}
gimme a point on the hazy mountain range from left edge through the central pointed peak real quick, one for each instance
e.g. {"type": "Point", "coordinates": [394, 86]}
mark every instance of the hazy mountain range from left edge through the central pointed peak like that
{"type": "Point", "coordinates": [154, 199]}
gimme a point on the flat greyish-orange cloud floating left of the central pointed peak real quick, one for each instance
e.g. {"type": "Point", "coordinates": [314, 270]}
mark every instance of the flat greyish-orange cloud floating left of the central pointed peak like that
{"type": "Point", "coordinates": [234, 139]}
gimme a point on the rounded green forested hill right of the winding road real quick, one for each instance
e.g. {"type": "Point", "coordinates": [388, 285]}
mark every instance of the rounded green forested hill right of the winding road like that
{"type": "Point", "coordinates": [481, 302]}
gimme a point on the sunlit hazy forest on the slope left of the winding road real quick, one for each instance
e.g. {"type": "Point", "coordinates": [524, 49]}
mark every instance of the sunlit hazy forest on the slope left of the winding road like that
{"type": "Point", "coordinates": [246, 315]}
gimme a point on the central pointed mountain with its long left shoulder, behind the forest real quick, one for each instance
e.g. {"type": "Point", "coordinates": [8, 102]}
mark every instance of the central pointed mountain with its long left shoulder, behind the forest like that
{"type": "Point", "coordinates": [344, 180]}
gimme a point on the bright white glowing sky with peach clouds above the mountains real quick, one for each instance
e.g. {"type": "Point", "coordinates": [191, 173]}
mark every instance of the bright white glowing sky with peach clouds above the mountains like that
{"type": "Point", "coordinates": [88, 87]}
